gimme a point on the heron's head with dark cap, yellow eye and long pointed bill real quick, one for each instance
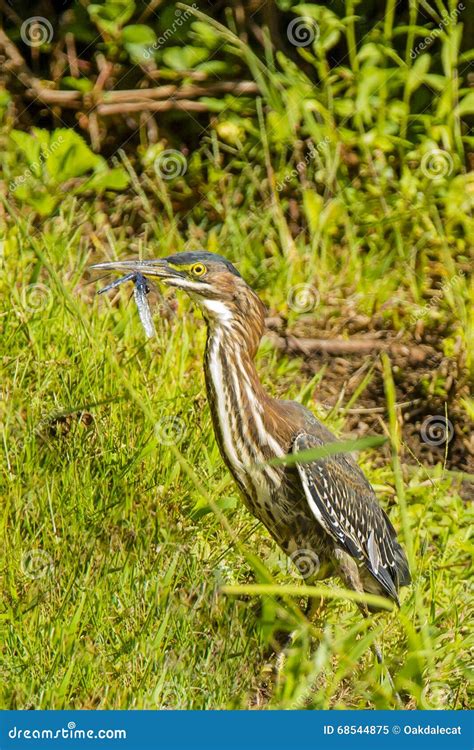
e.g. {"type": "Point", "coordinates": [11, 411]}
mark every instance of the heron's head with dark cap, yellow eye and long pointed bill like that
{"type": "Point", "coordinates": [211, 280]}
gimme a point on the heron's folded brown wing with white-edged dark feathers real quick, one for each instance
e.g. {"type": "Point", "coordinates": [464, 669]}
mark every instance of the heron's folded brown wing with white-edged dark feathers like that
{"type": "Point", "coordinates": [345, 505]}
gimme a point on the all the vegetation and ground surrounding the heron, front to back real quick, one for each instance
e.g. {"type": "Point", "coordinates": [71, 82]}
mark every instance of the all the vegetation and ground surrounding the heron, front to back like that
{"type": "Point", "coordinates": [325, 150]}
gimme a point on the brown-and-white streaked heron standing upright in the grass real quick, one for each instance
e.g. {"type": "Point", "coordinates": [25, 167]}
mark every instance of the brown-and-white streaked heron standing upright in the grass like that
{"type": "Point", "coordinates": [325, 508]}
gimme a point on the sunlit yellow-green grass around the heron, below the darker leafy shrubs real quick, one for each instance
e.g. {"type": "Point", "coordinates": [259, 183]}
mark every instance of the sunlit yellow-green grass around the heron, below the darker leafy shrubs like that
{"type": "Point", "coordinates": [122, 582]}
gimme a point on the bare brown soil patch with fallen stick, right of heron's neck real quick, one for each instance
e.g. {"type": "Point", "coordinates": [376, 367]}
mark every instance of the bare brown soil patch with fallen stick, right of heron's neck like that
{"type": "Point", "coordinates": [430, 387]}
